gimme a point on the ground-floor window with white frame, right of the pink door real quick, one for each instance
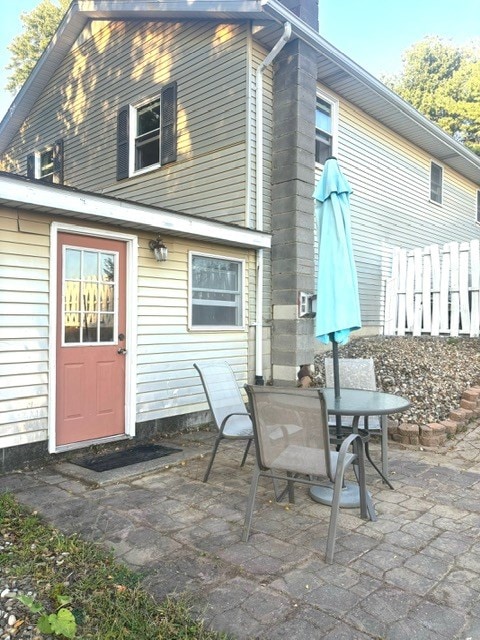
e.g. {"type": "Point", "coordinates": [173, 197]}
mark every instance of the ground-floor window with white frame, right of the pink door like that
{"type": "Point", "coordinates": [216, 292]}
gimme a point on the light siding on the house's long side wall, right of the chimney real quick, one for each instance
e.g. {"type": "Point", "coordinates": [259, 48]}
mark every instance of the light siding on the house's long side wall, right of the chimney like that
{"type": "Point", "coordinates": [390, 203]}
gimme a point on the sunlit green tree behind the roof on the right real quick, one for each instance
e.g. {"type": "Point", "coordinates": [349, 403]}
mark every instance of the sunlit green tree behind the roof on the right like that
{"type": "Point", "coordinates": [442, 81]}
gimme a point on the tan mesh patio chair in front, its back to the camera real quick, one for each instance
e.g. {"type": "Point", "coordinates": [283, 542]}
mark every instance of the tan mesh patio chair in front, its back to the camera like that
{"type": "Point", "coordinates": [292, 443]}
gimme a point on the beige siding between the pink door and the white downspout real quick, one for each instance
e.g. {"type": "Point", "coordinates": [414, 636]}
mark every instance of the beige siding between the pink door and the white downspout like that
{"type": "Point", "coordinates": [167, 383]}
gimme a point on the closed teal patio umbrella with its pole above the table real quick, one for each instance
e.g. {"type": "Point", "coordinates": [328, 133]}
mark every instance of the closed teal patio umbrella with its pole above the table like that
{"type": "Point", "coordinates": [338, 305]}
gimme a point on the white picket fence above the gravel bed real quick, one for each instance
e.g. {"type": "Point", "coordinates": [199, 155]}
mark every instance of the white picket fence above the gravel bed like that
{"type": "Point", "coordinates": [434, 291]}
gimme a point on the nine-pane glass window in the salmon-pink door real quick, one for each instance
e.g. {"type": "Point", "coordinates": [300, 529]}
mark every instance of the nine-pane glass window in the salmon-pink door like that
{"type": "Point", "coordinates": [89, 289]}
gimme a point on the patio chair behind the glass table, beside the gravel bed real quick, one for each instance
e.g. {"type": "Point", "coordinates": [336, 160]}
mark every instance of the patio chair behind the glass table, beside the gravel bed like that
{"type": "Point", "coordinates": [359, 373]}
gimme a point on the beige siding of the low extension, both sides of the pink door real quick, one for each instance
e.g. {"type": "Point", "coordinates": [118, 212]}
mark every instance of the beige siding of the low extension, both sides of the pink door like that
{"type": "Point", "coordinates": [167, 384]}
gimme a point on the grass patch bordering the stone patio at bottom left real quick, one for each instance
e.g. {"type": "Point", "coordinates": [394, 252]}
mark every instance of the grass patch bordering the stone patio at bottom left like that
{"type": "Point", "coordinates": [105, 597]}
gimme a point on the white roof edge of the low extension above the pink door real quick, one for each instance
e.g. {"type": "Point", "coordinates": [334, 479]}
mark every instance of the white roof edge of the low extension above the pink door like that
{"type": "Point", "coordinates": [18, 192]}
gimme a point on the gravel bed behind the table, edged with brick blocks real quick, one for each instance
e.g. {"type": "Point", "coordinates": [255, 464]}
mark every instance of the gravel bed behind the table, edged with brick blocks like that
{"type": "Point", "coordinates": [431, 372]}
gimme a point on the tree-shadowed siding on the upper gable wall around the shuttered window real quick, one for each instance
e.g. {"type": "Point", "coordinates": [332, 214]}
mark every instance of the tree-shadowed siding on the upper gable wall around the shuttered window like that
{"type": "Point", "coordinates": [125, 62]}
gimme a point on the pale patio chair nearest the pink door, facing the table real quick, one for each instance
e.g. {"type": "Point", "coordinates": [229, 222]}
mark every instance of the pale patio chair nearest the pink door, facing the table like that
{"type": "Point", "coordinates": [230, 415]}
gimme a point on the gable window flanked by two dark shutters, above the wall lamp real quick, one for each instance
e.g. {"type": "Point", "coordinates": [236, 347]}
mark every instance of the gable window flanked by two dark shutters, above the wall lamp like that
{"type": "Point", "coordinates": [147, 133]}
